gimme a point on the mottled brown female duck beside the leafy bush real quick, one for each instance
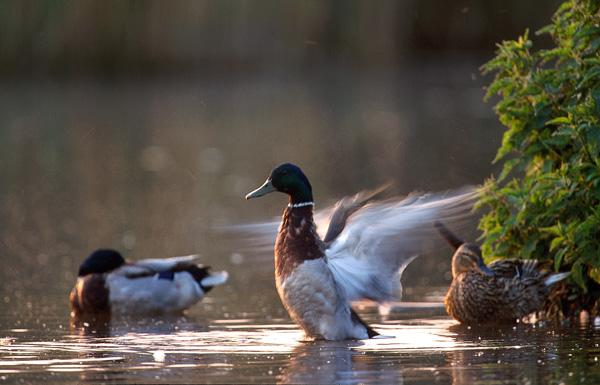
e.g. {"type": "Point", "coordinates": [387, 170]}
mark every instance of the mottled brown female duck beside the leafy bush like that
{"type": "Point", "coordinates": [503, 292]}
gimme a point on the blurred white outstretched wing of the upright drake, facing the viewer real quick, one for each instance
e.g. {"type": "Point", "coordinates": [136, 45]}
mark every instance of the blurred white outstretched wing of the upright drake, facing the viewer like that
{"type": "Point", "coordinates": [380, 239]}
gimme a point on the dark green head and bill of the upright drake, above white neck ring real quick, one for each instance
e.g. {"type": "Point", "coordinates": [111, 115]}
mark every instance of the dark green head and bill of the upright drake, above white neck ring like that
{"type": "Point", "coordinates": [288, 179]}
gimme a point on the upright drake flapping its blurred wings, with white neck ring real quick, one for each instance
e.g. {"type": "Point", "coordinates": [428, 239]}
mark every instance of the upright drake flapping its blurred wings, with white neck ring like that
{"type": "Point", "coordinates": [363, 254]}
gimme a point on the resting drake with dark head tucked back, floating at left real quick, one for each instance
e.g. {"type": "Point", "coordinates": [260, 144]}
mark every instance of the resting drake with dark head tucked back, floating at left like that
{"type": "Point", "coordinates": [107, 283]}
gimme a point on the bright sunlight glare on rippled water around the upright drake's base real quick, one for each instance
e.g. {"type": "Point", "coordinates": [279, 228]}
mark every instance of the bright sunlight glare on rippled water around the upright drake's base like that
{"type": "Point", "coordinates": [135, 349]}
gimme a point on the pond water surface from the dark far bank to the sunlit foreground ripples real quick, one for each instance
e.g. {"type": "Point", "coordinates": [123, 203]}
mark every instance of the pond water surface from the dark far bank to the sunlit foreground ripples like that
{"type": "Point", "coordinates": [154, 168]}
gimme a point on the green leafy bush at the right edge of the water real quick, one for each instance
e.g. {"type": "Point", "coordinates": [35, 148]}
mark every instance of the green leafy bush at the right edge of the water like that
{"type": "Point", "coordinates": [545, 204]}
